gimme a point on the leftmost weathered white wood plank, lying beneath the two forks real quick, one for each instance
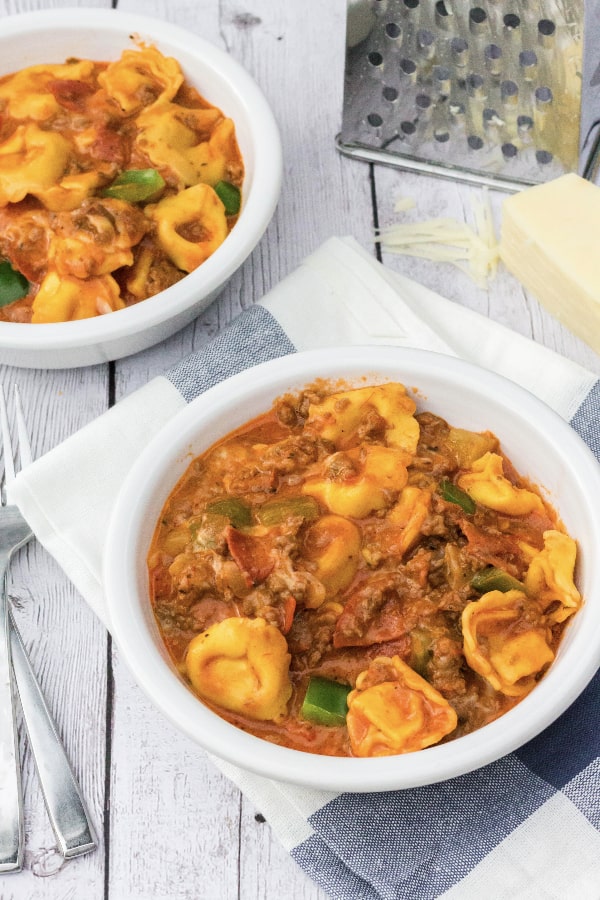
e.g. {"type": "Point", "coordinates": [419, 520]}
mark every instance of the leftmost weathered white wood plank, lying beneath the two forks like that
{"type": "Point", "coordinates": [67, 646]}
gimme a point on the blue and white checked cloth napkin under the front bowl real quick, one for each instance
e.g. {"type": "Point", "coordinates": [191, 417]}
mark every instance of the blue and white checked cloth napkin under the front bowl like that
{"type": "Point", "coordinates": [339, 295]}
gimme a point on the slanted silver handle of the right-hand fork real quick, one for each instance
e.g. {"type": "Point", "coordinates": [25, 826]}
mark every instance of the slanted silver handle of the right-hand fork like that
{"type": "Point", "coordinates": [62, 796]}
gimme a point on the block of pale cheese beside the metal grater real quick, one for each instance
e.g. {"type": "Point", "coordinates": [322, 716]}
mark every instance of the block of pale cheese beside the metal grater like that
{"type": "Point", "coordinates": [550, 240]}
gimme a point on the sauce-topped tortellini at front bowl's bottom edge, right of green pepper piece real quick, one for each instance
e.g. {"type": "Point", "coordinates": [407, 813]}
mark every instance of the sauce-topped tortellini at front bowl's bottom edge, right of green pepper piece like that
{"type": "Point", "coordinates": [394, 710]}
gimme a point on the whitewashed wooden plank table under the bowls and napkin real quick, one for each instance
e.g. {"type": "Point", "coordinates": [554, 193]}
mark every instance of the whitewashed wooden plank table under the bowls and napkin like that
{"type": "Point", "coordinates": [170, 825]}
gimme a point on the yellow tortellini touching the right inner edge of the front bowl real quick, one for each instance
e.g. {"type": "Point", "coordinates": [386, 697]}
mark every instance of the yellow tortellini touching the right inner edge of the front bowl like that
{"type": "Point", "coordinates": [550, 576]}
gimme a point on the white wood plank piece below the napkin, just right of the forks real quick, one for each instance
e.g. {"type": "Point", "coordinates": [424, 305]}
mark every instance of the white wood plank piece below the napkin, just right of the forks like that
{"type": "Point", "coordinates": [174, 818]}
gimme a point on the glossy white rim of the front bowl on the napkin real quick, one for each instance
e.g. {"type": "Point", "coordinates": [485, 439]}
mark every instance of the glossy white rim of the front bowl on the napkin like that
{"type": "Point", "coordinates": [176, 701]}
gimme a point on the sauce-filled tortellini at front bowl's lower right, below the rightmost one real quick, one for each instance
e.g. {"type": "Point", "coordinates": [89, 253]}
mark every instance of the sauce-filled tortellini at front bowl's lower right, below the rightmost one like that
{"type": "Point", "coordinates": [506, 640]}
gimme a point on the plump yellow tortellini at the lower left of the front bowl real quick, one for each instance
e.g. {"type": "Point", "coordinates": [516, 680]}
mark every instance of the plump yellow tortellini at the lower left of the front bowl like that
{"type": "Point", "coordinates": [242, 665]}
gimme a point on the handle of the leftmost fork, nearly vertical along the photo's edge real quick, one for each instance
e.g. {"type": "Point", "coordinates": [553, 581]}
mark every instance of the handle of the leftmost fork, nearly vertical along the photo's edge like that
{"type": "Point", "coordinates": [11, 800]}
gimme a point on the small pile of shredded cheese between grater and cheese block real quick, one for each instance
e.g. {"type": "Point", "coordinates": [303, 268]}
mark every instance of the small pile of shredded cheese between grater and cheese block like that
{"type": "Point", "coordinates": [474, 251]}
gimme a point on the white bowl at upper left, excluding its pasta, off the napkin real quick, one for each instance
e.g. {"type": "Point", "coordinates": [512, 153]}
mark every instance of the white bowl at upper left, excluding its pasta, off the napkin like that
{"type": "Point", "coordinates": [102, 34]}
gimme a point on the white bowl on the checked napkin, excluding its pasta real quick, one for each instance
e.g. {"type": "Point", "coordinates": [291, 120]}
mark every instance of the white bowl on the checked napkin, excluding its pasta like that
{"type": "Point", "coordinates": [538, 441]}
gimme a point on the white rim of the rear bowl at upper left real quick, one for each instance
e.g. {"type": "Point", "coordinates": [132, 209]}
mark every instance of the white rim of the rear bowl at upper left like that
{"type": "Point", "coordinates": [258, 205]}
